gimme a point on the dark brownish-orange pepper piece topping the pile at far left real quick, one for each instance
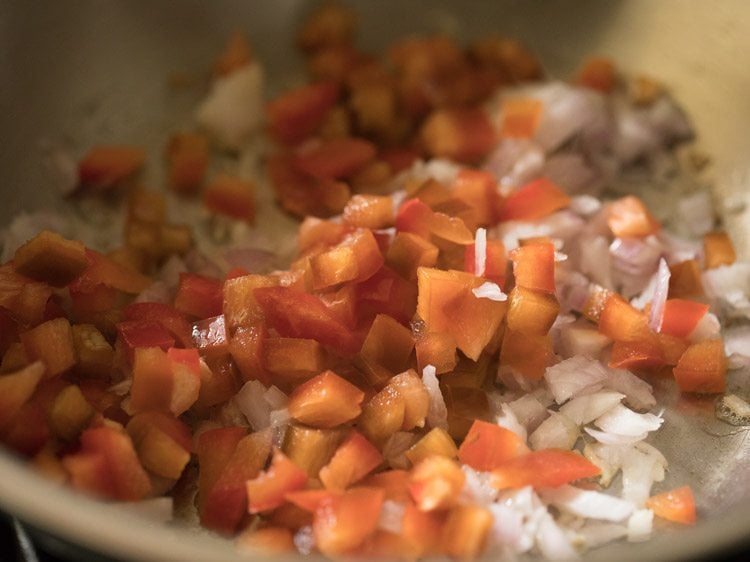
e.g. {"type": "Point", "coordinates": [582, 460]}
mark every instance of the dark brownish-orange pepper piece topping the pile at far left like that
{"type": "Point", "coordinates": [50, 258]}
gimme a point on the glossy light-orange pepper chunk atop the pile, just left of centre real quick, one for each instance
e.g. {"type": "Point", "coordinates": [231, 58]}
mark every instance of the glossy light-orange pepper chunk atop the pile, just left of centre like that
{"type": "Point", "coordinates": [356, 258]}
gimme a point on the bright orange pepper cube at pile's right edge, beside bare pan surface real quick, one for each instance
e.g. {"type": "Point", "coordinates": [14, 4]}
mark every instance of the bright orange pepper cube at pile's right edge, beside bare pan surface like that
{"type": "Point", "coordinates": [702, 368]}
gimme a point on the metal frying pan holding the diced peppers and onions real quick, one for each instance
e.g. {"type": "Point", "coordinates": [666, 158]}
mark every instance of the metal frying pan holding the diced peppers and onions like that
{"type": "Point", "coordinates": [82, 72]}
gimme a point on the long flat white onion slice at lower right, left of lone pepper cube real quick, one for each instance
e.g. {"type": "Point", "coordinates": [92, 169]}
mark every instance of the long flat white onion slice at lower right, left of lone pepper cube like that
{"type": "Point", "coordinates": [587, 503]}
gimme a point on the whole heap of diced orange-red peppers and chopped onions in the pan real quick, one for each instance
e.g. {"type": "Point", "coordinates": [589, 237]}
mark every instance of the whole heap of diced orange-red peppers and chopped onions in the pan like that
{"type": "Point", "coordinates": [457, 359]}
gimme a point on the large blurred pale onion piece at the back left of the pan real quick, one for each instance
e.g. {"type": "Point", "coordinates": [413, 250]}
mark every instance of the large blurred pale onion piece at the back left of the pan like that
{"type": "Point", "coordinates": [233, 109]}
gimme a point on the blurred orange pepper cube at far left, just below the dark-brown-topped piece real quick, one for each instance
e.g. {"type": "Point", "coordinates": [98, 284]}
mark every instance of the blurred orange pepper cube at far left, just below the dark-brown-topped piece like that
{"type": "Point", "coordinates": [52, 343]}
